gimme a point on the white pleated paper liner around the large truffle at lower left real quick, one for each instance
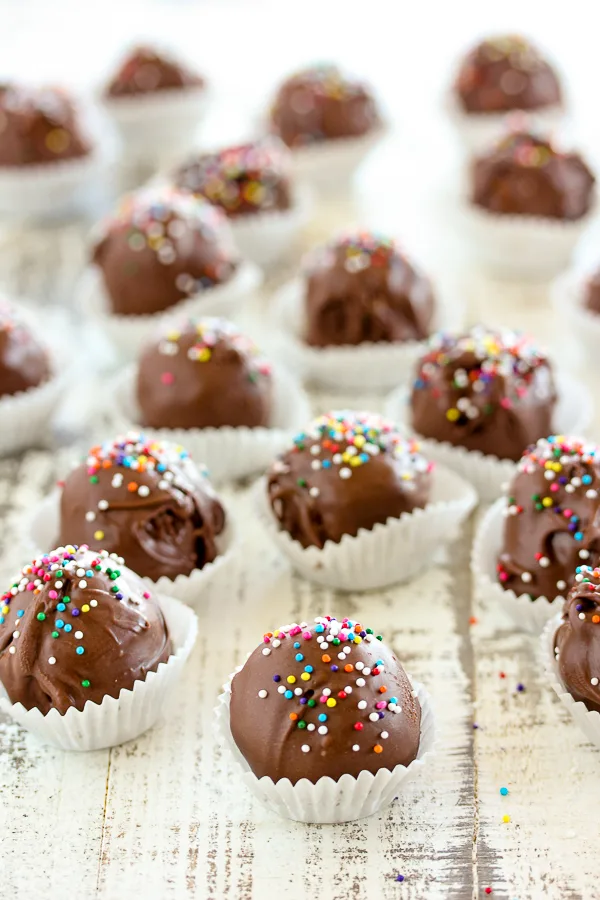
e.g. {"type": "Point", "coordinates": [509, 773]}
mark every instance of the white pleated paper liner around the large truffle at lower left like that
{"type": "Point", "coordinates": [115, 721]}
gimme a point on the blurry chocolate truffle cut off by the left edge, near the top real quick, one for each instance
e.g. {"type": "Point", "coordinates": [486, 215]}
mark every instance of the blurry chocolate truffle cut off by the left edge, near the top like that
{"type": "Point", "coordinates": [38, 127]}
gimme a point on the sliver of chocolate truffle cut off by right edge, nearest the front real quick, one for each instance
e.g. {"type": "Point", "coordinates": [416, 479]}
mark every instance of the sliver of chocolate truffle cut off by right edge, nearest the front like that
{"type": "Point", "coordinates": [577, 641]}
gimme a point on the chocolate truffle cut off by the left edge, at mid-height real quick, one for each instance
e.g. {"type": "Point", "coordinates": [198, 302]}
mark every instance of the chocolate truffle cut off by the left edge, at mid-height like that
{"type": "Point", "coordinates": [24, 362]}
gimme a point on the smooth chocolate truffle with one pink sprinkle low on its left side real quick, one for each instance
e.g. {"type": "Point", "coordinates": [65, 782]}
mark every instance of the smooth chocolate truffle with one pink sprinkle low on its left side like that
{"type": "Point", "coordinates": [203, 373]}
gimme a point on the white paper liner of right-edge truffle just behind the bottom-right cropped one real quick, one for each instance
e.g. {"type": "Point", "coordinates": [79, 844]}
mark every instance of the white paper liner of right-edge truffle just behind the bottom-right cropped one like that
{"type": "Point", "coordinates": [526, 614]}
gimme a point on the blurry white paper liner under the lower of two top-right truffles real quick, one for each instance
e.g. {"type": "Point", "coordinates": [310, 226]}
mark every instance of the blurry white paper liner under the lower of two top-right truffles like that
{"type": "Point", "coordinates": [512, 246]}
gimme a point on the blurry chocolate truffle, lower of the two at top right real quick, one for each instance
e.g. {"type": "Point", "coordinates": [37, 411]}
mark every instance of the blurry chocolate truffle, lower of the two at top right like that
{"type": "Point", "coordinates": [524, 175]}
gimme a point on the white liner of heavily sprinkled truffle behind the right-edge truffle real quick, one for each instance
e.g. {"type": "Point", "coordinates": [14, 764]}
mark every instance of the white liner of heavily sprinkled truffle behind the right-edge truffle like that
{"type": "Point", "coordinates": [487, 473]}
